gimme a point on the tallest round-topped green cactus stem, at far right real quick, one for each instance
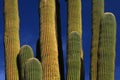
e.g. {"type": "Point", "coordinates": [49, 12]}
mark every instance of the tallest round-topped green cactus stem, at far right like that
{"type": "Point", "coordinates": [106, 50]}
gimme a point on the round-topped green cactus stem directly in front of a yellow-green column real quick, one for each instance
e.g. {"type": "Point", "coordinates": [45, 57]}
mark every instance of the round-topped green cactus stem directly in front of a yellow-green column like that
{"type": "Point", "coordinates": [73, 56]}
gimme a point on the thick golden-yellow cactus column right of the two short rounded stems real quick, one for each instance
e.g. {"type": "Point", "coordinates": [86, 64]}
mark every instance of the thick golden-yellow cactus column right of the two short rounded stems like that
{"type": "Point", "coordinates": [48, 41]}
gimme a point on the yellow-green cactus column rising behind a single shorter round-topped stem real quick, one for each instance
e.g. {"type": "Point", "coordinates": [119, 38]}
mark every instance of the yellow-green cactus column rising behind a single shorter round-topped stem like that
{"type": "Point", "coordinates": [75, 22]}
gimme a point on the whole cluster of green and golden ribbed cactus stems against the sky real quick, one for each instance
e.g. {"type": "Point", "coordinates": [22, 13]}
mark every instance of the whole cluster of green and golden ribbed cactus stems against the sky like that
{"type": "Point", "coordinates": [21, 64]}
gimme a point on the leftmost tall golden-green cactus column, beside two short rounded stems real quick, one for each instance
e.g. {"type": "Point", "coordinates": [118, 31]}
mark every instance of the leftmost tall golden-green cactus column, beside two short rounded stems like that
{"type": "Point", "coordinates": [11, 38]}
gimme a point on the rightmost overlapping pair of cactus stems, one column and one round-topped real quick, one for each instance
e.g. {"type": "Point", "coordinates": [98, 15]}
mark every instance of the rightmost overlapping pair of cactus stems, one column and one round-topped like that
{"type": "Point", "coordinates": [103, 43]}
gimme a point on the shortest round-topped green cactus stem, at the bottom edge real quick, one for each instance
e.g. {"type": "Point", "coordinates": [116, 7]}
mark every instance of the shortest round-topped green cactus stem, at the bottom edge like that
{"type": "Point", "coordinates": [33, 70]}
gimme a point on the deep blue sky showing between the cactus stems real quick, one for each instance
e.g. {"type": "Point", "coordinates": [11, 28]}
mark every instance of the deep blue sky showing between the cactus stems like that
{"type": "Point", "coordinates": [29, 29]}
